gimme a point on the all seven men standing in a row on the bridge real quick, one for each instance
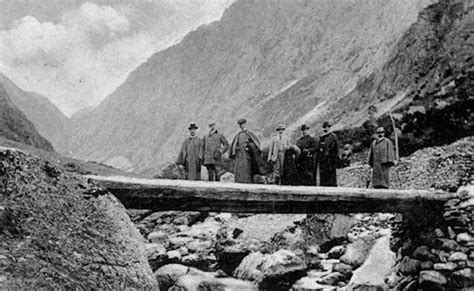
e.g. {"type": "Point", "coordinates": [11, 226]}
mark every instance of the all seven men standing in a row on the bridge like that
{"type": "Point", "coordinates": [309, 161]}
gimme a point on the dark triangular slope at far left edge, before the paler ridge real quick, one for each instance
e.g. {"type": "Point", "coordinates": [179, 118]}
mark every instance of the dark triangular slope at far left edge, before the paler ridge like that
{"type": "Point", "coordinates": [15, 126]}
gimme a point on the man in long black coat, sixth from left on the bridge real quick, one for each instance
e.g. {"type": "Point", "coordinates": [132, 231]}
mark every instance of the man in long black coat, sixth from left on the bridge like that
{"type": "Point", "coordinates": [328, 157]}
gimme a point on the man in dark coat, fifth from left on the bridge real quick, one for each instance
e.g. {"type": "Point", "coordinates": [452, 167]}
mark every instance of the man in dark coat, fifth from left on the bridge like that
{"type": "Point", "coordinates": [305, 163]}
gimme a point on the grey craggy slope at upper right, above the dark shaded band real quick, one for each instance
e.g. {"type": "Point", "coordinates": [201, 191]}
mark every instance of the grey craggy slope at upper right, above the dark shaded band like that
{"type": "Point", "coordinates": [434, 58]}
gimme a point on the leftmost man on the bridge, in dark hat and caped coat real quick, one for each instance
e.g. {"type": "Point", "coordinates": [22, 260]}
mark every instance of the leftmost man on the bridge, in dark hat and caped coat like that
{"type": "Point", "coordinates": [190, 155]}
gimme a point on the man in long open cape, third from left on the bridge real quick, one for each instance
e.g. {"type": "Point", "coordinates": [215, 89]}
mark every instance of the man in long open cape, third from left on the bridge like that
{"type": "Point", "coordinates": [245, 150]}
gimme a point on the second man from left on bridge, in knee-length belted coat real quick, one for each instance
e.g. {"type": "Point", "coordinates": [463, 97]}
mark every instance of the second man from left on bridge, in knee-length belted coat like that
{"type": "Point", "coordinates": [215, 145]}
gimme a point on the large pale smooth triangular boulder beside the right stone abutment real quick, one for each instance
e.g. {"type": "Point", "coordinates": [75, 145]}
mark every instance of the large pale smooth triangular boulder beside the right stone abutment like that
{"type": "Point", "coordinates": [377, 267]}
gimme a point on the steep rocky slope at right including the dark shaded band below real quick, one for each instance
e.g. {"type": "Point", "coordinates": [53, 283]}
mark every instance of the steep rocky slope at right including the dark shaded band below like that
{"type": "Point", "coordinates": [428, 82]}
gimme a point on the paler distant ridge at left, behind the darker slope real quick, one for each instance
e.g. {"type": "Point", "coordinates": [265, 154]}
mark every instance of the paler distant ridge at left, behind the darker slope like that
{"type": "Point", "coordinates": [47, 118]}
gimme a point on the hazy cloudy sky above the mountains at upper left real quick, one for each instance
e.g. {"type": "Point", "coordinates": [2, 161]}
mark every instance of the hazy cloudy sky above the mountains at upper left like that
{"type": "Point", "coordinates": [76, 52]}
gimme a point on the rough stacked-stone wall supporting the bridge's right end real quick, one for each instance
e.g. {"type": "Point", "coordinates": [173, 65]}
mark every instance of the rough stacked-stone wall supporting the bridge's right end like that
{"type": "Point", "coordinates": [435, 249]}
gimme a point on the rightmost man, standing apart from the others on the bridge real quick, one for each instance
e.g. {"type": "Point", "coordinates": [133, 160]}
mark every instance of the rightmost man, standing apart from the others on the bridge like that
{"type": "Point", "coordinates": [381, 158]}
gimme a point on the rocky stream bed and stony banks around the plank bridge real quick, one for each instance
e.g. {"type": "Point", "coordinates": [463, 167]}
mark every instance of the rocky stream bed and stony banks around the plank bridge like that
{"type": "Point", "coordinates": [58, 230]}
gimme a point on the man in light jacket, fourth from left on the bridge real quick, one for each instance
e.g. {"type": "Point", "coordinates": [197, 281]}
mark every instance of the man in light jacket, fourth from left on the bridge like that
{"type": "Point", "coordinates": [276, 154]}
